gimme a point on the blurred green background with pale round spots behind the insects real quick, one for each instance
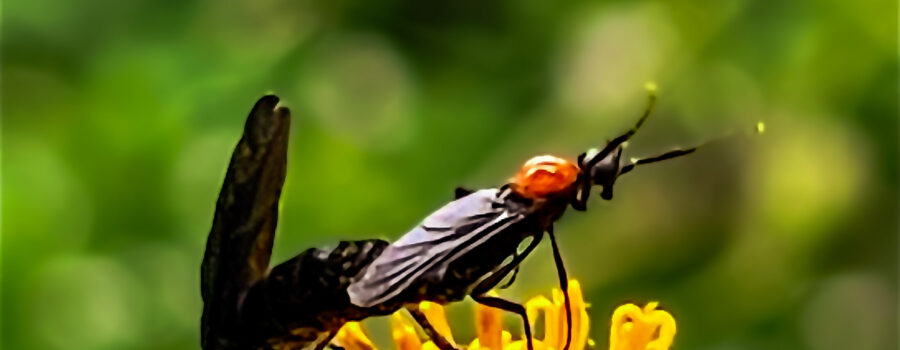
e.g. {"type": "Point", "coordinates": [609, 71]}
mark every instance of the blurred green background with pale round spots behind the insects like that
{"type": "Point", "coordinates": [119, 117]}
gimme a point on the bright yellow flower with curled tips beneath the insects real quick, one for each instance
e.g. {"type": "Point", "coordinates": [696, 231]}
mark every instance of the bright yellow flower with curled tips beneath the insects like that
{"type": "Point", "coordinates": [632, 328]}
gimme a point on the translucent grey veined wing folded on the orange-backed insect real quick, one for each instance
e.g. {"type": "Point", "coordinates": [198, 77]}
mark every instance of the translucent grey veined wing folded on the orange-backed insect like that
{"type": "Point", "coordinates": [443, 237]}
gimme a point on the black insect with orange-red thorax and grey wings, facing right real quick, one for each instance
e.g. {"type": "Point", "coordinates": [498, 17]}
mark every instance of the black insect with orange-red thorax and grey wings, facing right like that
{"type": "Point", "coordinates": [470, 245]}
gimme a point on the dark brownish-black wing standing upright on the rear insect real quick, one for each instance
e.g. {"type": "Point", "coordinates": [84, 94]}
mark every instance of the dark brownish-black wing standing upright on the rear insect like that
{"type": "Point", "coordinates": [240, 241]}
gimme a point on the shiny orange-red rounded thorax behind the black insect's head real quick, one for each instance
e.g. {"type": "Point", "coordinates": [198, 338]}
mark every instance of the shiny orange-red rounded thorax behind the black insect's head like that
{"type": "Point", "coordinates": [545, 175]}
